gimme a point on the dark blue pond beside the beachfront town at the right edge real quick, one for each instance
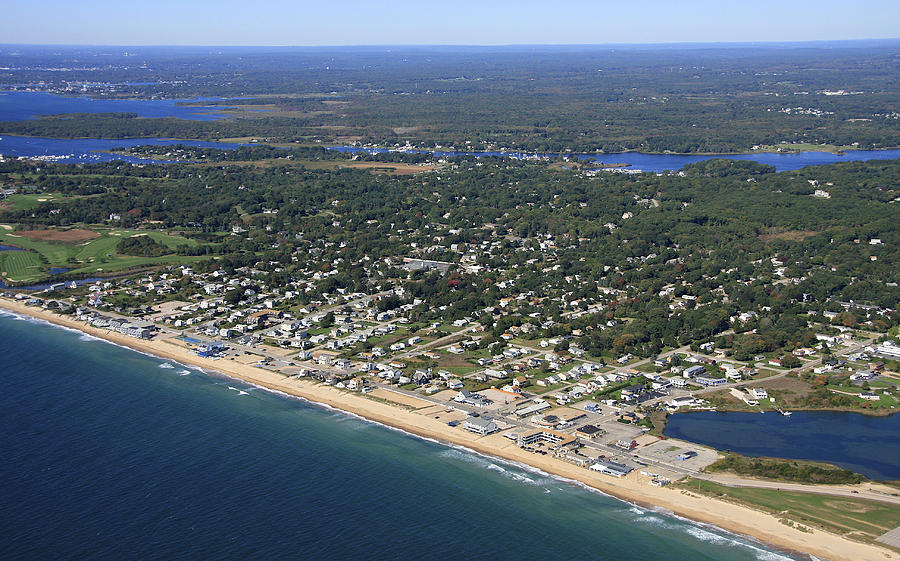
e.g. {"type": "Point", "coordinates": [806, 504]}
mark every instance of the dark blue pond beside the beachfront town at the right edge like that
{"type": "Point", "coordinates": [862, 443]}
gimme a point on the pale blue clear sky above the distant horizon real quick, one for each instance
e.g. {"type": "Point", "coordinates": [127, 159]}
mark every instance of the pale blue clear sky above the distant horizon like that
{"type": "Point", "coordinates": [460, 22]}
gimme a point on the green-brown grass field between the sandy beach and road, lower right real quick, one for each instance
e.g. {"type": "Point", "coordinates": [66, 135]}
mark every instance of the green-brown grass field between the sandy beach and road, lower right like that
{"type": "Point", "coordinates": [864, 519]}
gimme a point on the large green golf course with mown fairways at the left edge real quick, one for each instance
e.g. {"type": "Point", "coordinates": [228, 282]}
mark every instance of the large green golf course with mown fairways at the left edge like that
{"type": "Point", "coordinates": [83, 257]}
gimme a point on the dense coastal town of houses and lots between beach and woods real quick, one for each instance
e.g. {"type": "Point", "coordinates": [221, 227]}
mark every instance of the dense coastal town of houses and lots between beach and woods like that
{"type": "Point", "coordinates": [545, 394]}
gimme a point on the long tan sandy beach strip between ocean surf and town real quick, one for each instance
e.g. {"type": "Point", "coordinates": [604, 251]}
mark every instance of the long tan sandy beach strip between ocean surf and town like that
{"type": "Point", "coordinates": [634, 488]}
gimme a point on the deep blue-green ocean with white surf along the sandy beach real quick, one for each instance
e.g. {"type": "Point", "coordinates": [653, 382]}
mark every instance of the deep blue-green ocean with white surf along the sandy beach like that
{"type": "Point", "coordinates": [113, 454]}
